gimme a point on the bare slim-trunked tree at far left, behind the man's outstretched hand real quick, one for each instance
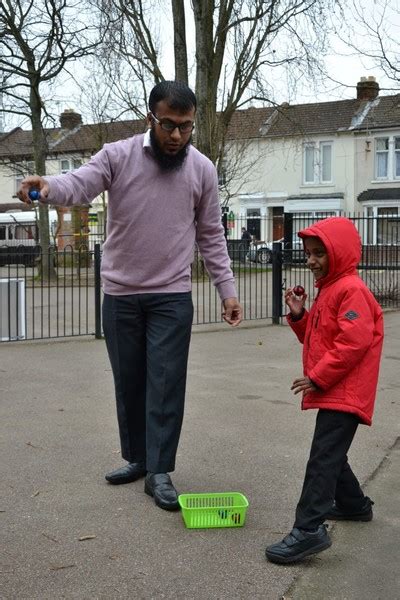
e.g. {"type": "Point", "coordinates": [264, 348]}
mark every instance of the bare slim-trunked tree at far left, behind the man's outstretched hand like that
{"type": "Point", "coordinates": [38, 39]}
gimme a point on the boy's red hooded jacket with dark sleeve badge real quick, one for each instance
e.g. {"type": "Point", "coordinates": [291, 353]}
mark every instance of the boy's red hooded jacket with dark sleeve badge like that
{"type": "Point", "coordinates": [342, 335]}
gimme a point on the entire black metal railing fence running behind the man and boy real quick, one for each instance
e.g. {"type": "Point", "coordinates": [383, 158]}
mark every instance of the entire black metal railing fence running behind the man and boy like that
{"type": "Point", "coordinates": [58, 293]}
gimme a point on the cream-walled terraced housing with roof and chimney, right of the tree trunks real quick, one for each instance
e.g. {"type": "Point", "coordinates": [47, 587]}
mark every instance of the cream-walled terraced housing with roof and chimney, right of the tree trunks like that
{"type": "Point", "coordinates": [321, 159]}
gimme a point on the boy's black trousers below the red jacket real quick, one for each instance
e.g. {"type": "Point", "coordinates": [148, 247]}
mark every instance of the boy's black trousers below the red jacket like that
{"type": "Point", "coordinates": [328, 475]}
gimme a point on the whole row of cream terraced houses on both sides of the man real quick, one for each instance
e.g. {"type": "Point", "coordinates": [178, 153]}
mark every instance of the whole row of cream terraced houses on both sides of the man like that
{"type": "Point", "coordinates": [312, 159]}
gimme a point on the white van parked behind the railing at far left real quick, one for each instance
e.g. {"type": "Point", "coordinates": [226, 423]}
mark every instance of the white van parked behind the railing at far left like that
{"type": "Point", "coordinates": [19, 236]}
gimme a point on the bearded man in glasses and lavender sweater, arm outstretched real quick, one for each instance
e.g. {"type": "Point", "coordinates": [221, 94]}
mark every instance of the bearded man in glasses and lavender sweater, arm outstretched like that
{"type": "Point", "coordinates": [162, 198]}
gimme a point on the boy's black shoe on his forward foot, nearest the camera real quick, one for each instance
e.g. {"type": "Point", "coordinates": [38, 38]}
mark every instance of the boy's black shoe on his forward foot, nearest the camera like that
{"type": "Point", "coordinates": [298, 544]}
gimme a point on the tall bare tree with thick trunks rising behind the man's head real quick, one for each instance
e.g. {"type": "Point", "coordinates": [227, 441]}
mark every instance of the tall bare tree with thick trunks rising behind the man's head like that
{"type": "Point", "coordinates": [237, 46]}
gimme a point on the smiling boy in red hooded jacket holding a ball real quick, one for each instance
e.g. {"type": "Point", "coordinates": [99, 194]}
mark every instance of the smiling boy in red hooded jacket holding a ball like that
{"type": "Point", "coordinates": [342, 338]}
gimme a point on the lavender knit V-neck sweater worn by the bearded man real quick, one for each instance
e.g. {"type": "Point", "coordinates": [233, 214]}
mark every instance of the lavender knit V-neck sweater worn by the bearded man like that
{"type": "Point", "coordinates": [154, 218]}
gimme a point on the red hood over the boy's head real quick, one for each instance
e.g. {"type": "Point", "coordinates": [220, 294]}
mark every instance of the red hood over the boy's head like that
{"type": "Point", "coordinates": [342, 242]}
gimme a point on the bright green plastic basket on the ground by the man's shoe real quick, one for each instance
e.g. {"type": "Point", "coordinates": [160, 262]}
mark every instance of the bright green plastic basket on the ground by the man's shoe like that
{"type": "Point", "coordinates": [203, 511]}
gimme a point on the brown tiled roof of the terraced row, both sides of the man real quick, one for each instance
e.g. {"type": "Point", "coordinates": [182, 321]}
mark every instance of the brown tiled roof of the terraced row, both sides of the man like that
{"type": "Point", "coordinates": [285, 120]}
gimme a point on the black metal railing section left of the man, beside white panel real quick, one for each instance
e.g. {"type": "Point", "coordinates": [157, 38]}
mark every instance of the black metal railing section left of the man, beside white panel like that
{"type": "Point", "coordinates": [57, 301]}
